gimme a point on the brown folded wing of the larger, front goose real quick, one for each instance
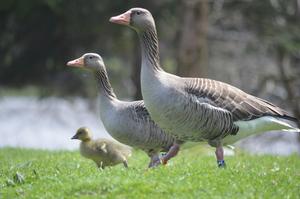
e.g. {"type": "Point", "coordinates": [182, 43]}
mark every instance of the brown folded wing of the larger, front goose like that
{"type": "Point", "coordinates": [241, 105]}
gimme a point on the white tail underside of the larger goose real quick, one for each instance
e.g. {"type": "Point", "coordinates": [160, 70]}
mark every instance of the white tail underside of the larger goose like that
{"type": "Point", "coordinates": [258, 126]}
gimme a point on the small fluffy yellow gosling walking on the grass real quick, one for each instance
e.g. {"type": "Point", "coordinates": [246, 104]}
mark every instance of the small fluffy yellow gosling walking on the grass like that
{"type": "Point", "coordinates": [103, 152]}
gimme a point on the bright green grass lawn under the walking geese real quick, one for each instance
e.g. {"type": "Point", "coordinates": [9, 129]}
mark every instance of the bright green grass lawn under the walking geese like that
{"type": "Point", "coordinates": [193, 174]}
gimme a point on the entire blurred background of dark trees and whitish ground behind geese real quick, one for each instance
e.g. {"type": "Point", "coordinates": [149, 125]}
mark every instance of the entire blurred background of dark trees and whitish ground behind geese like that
{"type": "Point", "coordinates": [251, 44]}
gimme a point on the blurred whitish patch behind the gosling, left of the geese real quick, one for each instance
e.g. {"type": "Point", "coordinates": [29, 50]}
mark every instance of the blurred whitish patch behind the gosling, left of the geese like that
{"type": "Point", "coordinates": [45, 123]}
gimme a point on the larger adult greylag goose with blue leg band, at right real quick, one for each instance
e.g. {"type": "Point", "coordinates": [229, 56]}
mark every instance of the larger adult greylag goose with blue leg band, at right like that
{"type": "Point", "coordinates": [197, 109]}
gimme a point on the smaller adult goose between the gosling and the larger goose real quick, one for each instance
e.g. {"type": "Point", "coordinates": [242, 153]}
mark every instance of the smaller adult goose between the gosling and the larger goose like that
{"type": "Point", "coordinates": [127, 122]}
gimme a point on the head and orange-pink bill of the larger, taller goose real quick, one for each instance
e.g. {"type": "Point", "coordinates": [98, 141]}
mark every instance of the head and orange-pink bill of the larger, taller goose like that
{"type": "Point", "coordinates": [139, 19]}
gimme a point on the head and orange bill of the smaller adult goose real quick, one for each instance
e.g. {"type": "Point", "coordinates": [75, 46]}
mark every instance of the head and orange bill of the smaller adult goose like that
{"type": "Point", "coordinates": [90, 61]}
